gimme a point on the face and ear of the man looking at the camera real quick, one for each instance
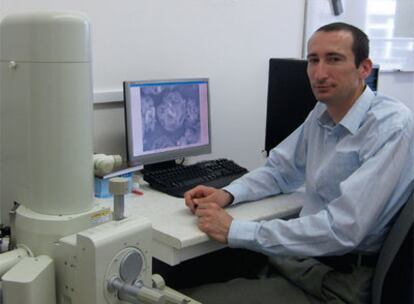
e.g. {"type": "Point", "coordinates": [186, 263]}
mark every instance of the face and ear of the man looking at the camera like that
{"type": "Point", "coordinates": [332, 72]}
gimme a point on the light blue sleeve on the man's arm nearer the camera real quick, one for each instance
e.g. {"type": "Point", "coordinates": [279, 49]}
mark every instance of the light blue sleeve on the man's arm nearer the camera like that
{"type": "Point", "coordinates": [346, 220]}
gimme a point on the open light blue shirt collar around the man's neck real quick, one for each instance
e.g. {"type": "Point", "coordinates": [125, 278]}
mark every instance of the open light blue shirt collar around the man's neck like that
{"type": "Point", "coordinates": [354, 117]}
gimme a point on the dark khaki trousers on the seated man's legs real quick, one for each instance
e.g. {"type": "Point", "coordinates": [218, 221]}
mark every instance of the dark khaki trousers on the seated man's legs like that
{"type": "Point", "coordinates": [292, 281]}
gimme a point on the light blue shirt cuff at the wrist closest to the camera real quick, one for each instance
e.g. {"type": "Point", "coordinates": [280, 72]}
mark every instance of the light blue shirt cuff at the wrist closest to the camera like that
{"type": "Point", "coordinates": [242, 234]}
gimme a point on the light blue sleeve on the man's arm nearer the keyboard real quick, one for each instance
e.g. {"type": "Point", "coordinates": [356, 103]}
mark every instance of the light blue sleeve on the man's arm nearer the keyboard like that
{"type": "Point", "coordinates": [283, 172]}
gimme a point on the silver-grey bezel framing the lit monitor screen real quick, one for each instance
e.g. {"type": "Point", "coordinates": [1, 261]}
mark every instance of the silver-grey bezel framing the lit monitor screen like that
{"type": "Point", "coordinates": [164, 156]}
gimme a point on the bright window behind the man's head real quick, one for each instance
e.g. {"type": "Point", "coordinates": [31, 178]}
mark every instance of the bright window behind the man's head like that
{"type": "Point", "coordinates": [388, 23]}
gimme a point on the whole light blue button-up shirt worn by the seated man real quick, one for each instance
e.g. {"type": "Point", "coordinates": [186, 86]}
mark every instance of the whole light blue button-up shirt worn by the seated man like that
{"type": "Point", "coordinates": [357, 175]}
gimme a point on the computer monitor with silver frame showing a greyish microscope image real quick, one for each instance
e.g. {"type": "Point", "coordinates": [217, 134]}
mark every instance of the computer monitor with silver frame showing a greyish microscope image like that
{"type": "Point", "coordinates": [166, 120]}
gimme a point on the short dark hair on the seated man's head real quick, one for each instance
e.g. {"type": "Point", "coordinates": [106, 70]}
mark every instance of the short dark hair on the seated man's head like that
{"type": "Point", "coordinates": [360, 46]}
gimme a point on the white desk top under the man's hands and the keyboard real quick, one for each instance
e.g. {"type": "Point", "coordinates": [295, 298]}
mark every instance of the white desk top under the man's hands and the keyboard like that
{"type": "Point", "coordinates": [176, 237]}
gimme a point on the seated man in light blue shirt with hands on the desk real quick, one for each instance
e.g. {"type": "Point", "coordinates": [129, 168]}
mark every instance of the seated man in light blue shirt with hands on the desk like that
{"type": "Point", "coordinates": [354, 153]}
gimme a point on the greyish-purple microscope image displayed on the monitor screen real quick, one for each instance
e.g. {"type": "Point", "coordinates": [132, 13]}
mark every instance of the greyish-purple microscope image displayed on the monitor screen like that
{"type": "Point", "coordinates": [170, 116]}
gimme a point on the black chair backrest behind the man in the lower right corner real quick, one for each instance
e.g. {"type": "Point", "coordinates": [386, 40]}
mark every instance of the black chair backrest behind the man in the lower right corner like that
{"type": "Point", "coordinates": [393, 277]}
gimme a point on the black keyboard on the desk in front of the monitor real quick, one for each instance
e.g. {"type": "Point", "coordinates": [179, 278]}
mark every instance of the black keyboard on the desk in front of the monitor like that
{"type": "Point", "coordinates": [178, 179]}
